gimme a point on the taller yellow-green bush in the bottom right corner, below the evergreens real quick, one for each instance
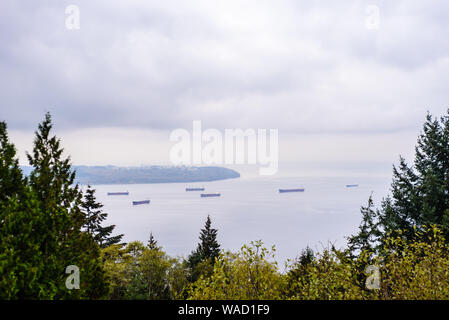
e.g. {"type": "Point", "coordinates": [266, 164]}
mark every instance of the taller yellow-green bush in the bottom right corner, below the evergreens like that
{"type": "Point", "coordinates": [417, 269]}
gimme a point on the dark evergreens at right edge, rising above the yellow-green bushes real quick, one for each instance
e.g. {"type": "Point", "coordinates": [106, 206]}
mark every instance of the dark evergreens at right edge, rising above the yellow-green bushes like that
{"type": "Point", "coordinates": [419, 192]}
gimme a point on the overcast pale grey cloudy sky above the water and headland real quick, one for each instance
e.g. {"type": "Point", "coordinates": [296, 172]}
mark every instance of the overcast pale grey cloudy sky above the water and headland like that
{"type": "Point", "coordinates": [342, 81]}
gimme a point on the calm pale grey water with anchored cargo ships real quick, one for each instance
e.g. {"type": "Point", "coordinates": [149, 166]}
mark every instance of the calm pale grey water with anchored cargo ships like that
{"type": "Point", "coordinates": [248, 209]}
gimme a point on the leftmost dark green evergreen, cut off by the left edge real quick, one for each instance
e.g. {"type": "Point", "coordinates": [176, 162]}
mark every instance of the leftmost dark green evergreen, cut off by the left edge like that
{"type": "Point", "coordinates": [21, 264]}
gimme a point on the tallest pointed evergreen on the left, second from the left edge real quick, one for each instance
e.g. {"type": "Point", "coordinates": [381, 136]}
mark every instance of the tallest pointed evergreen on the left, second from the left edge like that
{"type": "Point", "coordinates": [63, 243]}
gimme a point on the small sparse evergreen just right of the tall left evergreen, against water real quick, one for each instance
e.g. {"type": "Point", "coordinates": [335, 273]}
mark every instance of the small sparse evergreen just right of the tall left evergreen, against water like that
{"type": "Point", "coordinates": [94, 218]}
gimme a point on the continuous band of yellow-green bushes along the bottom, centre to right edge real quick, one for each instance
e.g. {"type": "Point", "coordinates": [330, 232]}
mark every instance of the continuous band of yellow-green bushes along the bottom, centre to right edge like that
{"type": "Point", "coordinates": [409, 269]}
